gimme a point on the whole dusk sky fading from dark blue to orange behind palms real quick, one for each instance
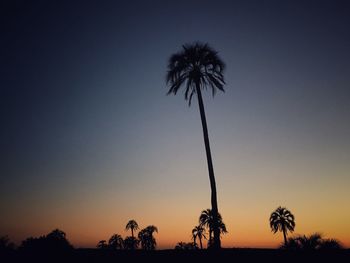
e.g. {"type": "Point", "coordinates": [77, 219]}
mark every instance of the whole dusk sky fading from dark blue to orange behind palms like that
{"type": "Point", "coordinates": [89, 139]}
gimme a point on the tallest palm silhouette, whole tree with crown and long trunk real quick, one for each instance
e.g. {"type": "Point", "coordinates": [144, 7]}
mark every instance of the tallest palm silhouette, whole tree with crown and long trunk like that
{"type": "Point", "coordinates": [197, 67]}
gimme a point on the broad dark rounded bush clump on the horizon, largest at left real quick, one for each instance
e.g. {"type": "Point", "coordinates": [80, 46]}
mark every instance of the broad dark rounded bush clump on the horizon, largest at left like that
{"type": "Point", "coordinates": [54, 241]}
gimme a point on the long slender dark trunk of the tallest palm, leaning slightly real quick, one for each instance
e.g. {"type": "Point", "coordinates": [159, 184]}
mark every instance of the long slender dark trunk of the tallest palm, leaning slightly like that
{"type": "Point", "coordinates": [214, 202]}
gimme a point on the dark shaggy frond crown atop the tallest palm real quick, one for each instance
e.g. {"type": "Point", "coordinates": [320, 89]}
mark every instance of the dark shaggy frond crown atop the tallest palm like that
{"type": "Point", "coordinates": [195, 64]}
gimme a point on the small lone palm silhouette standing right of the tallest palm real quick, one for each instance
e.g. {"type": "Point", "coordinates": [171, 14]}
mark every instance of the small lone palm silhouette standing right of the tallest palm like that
{"type": "Point", "coordinates": [282, 220]}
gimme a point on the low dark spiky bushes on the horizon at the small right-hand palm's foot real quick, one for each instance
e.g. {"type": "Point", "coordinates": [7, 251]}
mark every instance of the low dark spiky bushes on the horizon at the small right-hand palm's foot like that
{"type": "Point", "coordinates": [311, 242]}
